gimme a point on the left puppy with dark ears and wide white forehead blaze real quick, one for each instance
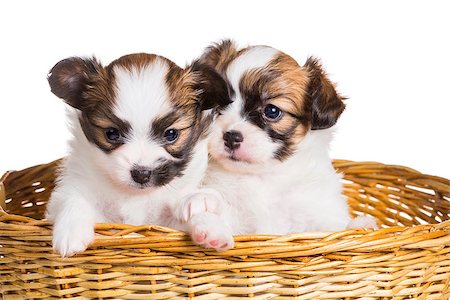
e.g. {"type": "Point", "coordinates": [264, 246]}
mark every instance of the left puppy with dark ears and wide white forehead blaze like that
{"type": "Point", "coordinates": [138, 144]}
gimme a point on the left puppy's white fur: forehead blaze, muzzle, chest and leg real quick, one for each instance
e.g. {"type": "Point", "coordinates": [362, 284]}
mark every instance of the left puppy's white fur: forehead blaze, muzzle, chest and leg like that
{"type": "Point", "coordinates": [97, 187]}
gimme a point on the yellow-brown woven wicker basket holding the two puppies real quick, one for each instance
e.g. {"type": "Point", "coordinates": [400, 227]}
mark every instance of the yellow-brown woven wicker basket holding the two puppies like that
{"type": "Point", "coordinates": [408, 258]}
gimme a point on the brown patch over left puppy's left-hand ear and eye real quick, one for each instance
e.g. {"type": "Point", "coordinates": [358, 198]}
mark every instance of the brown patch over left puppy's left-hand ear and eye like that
{"type": "Point", "coordinates": [87, 86]}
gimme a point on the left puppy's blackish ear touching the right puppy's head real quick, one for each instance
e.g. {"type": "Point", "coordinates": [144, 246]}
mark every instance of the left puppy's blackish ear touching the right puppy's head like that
{"type": "Point", "coordinates": [212, 88]}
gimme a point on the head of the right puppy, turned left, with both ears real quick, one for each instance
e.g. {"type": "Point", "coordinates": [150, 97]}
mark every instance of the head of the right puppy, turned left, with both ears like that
{"type": "Point", "coordinates": [275, 102]}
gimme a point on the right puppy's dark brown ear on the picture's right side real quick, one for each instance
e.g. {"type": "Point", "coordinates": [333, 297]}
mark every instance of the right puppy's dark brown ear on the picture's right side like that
{"type": "Point", "coordinates": [327, 104]}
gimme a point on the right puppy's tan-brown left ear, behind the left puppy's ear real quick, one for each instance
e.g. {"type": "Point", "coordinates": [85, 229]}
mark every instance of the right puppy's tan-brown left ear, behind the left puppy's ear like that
{"type": "Point", "coordinates": [219, 55]}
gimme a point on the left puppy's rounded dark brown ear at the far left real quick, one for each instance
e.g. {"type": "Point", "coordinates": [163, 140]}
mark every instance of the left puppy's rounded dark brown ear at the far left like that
{"type": "Point", "coordinates": [70, 77]}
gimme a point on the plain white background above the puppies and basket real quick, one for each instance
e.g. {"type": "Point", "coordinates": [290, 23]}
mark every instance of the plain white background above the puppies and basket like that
{"type": "Point", "coordinates": [391, 58]}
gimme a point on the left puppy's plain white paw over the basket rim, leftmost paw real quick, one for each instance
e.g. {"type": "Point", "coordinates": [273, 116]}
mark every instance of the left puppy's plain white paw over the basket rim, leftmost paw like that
{"type": "Point", "coordinates": [70, 239]}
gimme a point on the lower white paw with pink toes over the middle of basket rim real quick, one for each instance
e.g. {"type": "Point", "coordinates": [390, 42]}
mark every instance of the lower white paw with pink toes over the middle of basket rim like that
{"type": "Point", "coordinates": [209, 231]}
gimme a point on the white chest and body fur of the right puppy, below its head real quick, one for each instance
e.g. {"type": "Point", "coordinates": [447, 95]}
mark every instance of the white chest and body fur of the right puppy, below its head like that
{"type": "Point", "coordinates": [302, 193]}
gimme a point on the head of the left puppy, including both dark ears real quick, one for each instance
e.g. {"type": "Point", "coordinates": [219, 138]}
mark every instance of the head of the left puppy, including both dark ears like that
{"type": "Point", "coordinates": [141, 114]}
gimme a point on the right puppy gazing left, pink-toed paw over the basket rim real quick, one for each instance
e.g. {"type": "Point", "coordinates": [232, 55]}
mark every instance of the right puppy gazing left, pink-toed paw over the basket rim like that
{"type": "Point", "coordinates": [270, 171]}
